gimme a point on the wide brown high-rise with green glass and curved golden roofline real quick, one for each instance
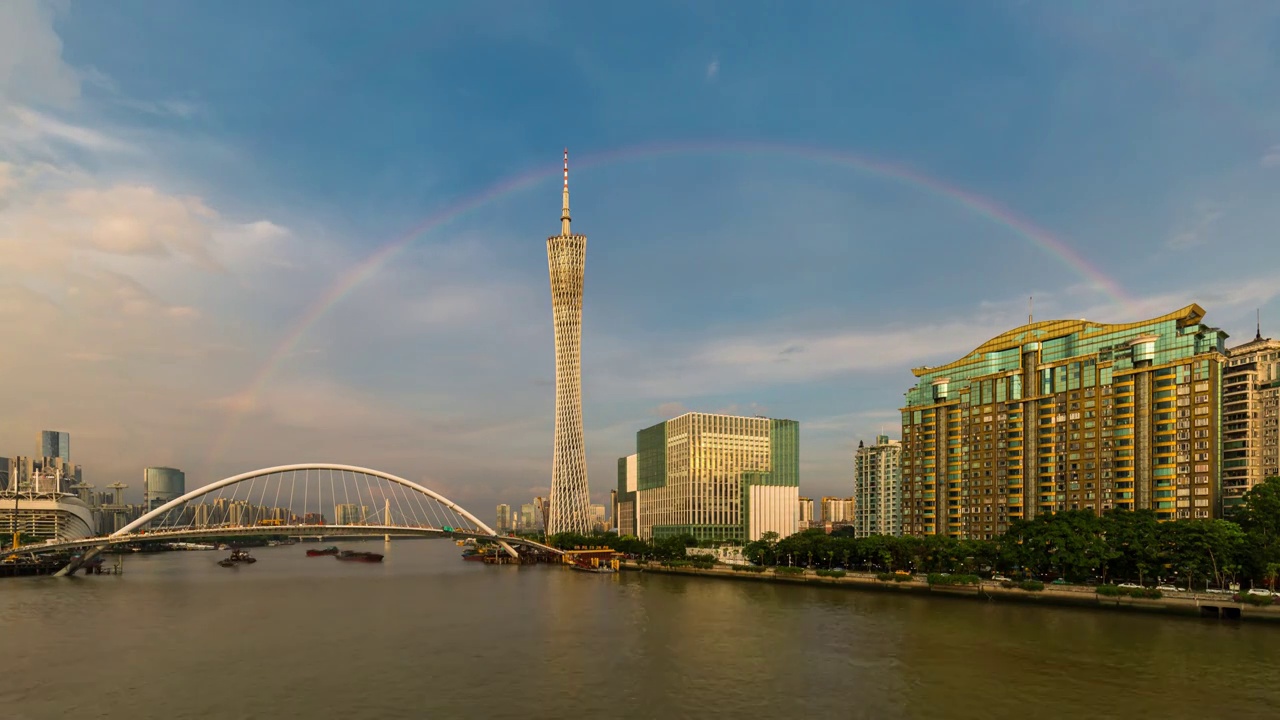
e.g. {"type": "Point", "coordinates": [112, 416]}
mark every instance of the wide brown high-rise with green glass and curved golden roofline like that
{"type": "Point", "coordinates": [1063, 416]}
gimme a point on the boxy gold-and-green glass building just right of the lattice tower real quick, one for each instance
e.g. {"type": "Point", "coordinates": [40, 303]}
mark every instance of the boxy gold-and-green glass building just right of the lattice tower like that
{"type": "Point", "coordinates": [717, 479]}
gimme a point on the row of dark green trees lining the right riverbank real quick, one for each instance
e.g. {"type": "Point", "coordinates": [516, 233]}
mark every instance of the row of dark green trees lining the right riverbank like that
{"type": "Point", "coordinates": [1075, 545]}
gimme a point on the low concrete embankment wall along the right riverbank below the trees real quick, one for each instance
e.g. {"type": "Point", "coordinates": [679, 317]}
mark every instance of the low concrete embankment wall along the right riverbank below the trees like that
{"type": "Point", "coordinates": [1194, 605]}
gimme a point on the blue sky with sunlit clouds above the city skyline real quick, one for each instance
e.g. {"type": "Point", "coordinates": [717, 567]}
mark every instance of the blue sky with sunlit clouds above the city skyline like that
{"type": "Point", "coordinates": [237, 235]}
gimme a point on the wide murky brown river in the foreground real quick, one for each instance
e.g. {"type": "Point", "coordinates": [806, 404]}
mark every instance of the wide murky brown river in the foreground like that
{"type": "Point", "coordinates": [428, 636]}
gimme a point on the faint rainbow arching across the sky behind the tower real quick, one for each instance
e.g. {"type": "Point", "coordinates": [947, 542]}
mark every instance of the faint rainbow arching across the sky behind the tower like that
{"type": "Point", "coordinates": [367, 270]}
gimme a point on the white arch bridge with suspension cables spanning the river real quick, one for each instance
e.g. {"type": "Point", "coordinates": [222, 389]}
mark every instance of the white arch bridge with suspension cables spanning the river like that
{"type": "Point", "coordinates": [304, 500]}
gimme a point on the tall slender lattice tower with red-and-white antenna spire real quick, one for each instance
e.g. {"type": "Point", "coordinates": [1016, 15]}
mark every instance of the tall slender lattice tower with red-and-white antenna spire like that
{"type": "Point", "coordinates": [566, 259]}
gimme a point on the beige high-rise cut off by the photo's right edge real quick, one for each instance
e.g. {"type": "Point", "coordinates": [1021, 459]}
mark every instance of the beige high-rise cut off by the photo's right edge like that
{"type": "Point", "coordinates": [1251, 418]}
